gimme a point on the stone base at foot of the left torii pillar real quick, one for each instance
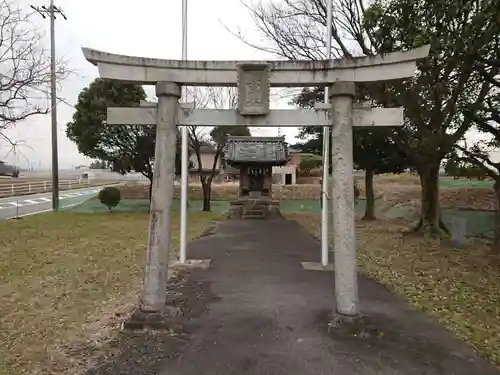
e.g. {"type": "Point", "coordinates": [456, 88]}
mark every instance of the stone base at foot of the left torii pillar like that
{"type": "Point", "coordinates": [169, 318]}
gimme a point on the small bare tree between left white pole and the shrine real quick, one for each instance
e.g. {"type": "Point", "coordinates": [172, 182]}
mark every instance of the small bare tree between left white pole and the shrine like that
{"type": "Point", "coordinates": [204, 140]}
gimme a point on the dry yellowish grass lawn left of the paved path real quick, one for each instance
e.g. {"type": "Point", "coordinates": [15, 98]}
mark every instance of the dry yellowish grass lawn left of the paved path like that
{"type": "Point", "coordinates": [64, 276]}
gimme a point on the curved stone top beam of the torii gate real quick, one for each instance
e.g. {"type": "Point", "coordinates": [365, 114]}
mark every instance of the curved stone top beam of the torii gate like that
{"type": "Point", "coordinates": [149, 71]}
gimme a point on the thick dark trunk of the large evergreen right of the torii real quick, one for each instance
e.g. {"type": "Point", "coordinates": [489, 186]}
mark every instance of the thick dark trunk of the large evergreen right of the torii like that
{"type": "Point", "coordinates": [430, 215]}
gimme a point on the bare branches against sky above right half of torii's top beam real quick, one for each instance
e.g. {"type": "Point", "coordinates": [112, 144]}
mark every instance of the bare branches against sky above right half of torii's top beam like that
{"type": "Point", "coordinates": [295, 29]}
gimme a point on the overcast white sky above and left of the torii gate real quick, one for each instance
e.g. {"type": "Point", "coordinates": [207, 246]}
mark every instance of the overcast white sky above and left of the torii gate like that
{"type": "Point", "coordinates": [150, 28]}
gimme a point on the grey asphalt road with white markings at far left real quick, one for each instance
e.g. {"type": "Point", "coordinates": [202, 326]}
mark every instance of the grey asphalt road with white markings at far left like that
{"type": "Point", "coordinates": [25, 205]}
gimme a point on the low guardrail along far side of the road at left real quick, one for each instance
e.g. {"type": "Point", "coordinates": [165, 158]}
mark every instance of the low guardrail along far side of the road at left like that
{"type": "Point", "coordinates": [8, 189]}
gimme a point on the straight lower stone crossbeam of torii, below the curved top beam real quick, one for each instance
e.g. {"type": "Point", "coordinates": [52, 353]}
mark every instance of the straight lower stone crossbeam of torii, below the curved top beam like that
{"type": "Point", "coordinates": [364, 117]}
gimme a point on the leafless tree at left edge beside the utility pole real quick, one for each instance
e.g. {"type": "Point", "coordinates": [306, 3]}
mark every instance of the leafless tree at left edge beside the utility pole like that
{"type": "Point", "coordinates": [24, 67]}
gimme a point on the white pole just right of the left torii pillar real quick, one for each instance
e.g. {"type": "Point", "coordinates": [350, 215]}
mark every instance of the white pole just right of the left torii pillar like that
{"type": "Point", "coordinates": [184, 148]}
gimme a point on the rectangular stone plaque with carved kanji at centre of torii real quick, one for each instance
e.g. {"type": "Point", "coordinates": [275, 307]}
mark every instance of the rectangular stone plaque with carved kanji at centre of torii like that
{"type": "Point", "coordinates": [253, 89]}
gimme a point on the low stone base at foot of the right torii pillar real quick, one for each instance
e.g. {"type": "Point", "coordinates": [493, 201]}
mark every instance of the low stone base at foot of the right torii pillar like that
{"type": "Point", "coordinates": [362, 327]}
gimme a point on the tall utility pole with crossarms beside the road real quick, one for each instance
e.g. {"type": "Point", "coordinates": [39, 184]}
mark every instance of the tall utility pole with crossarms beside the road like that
{"type": "Point", "coordinates": [51, 12]}
